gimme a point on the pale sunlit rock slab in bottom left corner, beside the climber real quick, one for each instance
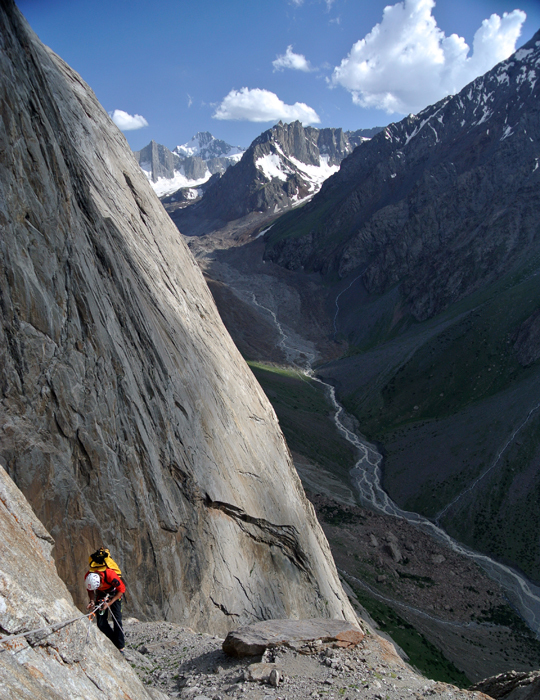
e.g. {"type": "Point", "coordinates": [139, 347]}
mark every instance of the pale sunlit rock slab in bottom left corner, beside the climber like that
{"type": "Point", "coordinates": [60, 661]}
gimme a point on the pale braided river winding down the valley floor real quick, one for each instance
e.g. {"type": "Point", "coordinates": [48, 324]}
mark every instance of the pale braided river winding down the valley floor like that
{"type": "Point", "coordinates": [366, 477]}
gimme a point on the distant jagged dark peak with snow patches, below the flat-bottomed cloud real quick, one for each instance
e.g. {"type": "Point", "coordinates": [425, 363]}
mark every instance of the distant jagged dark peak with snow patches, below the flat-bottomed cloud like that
{"type": "Point", "coordinates": [246, 187]}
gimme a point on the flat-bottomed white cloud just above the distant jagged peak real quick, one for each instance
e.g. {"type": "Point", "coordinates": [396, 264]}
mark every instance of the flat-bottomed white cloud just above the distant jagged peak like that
{"type": "Point", "coordinates": [263, 106]}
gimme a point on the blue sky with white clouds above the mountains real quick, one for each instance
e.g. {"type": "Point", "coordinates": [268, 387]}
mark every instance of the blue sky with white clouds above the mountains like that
{"type": "Point", "coordinates": [235, 67]}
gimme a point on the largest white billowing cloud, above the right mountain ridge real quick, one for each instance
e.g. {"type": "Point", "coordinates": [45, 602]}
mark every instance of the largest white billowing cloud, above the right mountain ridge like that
{"type": "Point", "coordinates": [406, 62]}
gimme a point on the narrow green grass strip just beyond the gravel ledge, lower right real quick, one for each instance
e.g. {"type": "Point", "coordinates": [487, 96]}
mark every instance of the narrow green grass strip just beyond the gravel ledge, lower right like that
{"type": "Point", "coordinates": [423, 655]}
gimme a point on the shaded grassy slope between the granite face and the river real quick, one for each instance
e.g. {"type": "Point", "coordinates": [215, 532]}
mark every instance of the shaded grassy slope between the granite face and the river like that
{"type": "Point", "coordinates": [306, 417]}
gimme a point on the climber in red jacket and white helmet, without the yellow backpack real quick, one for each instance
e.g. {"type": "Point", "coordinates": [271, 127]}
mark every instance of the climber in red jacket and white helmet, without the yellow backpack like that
{"type": "Point", "coordinates": [107, 587]}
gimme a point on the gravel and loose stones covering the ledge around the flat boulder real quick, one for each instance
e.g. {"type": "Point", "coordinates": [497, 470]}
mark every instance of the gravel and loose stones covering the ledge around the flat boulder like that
{"type": "Point", "coordinates": [184, 664]}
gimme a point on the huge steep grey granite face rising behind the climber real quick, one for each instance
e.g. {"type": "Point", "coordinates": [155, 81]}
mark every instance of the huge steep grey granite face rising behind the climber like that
{"type": "Point", "coordinates": [127, 416]}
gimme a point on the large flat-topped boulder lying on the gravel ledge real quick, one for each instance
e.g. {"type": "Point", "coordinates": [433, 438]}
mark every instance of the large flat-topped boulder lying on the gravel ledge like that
{"type": "Point", "coordinates": [253, 640]}
